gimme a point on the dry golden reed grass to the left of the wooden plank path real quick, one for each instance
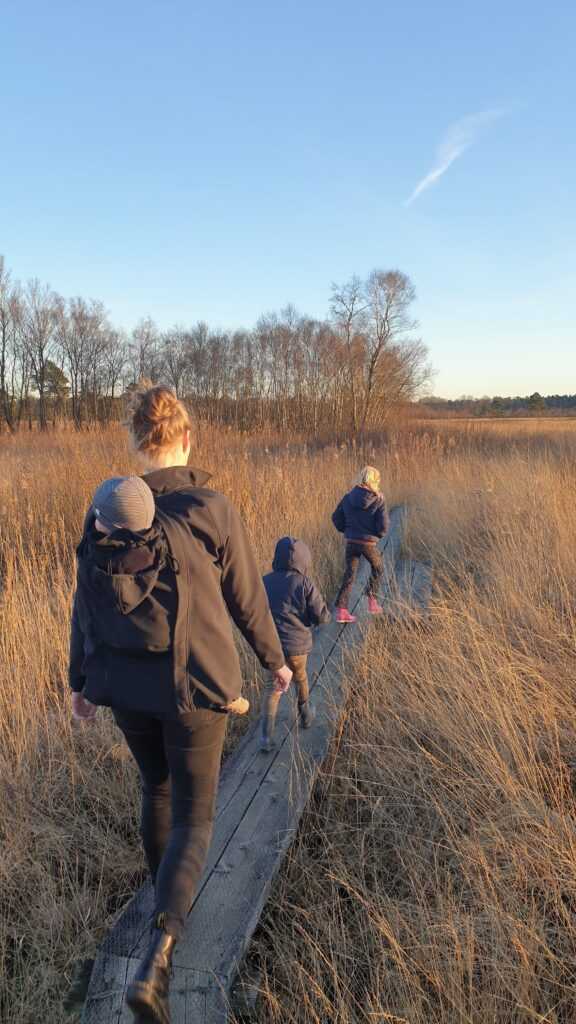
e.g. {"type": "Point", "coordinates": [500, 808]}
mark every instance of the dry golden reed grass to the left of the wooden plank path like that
{"type": "Point", "coordinates": [68, 795]}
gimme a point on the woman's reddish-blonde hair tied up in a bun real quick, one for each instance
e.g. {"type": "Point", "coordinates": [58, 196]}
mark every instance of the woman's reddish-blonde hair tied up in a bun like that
{"type": "Point", "coordinates": [157, 419]}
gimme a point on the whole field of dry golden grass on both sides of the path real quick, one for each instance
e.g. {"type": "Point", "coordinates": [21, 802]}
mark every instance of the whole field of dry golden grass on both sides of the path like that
{"type": "Point", "coordinates": [434, 879]}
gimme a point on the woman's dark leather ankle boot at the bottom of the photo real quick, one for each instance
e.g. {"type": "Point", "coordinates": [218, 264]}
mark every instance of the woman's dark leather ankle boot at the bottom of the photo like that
{"type": "Point", "coordinates": [148, 994]}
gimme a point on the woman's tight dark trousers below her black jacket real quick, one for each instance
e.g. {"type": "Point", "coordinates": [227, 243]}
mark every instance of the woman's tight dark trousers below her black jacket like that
{"type": "Point", "coordinates": [180, 764]}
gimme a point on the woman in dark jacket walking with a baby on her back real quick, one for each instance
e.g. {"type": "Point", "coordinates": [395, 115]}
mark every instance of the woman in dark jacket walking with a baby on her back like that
{"type": "Point", "coordinates": [163, 565]}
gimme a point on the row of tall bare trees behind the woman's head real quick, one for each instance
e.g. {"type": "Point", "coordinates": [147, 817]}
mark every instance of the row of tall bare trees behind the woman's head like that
{"type": "Point", "coordinates": [63, 359]}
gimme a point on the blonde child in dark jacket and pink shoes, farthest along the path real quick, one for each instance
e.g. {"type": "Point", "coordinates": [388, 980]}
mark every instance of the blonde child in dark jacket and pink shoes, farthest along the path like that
{"type": "Point", "coordinates": [363, 519]}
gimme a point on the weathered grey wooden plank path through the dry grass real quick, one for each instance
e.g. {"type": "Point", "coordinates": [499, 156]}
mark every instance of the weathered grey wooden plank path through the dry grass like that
{"type": "Point", "coordinates": [261, 800]}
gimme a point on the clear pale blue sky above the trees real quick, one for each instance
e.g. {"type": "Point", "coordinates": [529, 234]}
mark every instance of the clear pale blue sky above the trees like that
{"type": "Point", "coordinates": [217, 161]}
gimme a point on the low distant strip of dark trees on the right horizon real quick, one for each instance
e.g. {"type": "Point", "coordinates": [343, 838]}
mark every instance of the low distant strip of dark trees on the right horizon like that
{"type": "Point", "coordinates": [532, 405]}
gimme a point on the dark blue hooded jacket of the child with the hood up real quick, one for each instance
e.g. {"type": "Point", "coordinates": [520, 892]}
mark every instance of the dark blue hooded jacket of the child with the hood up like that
{"type": "Point", "coordinates": [296, 603]}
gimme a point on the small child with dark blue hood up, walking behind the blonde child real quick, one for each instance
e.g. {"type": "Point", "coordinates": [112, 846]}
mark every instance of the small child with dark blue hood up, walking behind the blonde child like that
{"type": "Point", "coordinates": [297, 605]}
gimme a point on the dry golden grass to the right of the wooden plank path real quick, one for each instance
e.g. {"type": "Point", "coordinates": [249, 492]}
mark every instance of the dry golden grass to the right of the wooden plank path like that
{"type": "Point", "coordinates": [435, 877]}
